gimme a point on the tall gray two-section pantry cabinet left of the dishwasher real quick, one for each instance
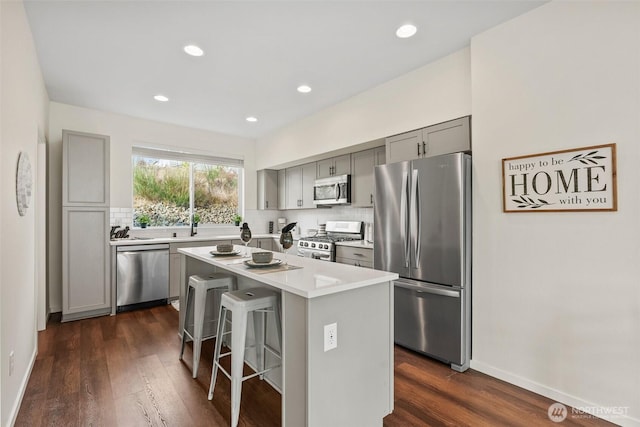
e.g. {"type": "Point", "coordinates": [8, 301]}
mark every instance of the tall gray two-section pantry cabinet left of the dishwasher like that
{"type": "Point", "coordinates": [86, 284]}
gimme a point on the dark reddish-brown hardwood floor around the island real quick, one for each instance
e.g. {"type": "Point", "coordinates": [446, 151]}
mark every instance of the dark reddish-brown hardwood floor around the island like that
{"type": "Point", "coordinates": [124, 371]}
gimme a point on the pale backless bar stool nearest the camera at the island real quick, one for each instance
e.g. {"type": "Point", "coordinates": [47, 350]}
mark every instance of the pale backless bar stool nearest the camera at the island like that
{"type": "Point", "coordinates": [258, 302]}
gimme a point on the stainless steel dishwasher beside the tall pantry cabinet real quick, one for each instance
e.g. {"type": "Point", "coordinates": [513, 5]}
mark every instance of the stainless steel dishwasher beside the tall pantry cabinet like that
{"type": "Point", "coordinates": [142, 276]}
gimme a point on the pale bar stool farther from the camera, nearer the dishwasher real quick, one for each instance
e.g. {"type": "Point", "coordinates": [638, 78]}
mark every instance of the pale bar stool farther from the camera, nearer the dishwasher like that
{"type": "Point", "coordinates": [197, 291]}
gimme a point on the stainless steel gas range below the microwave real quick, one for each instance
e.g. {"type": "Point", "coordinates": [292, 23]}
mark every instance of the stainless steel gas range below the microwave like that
{"type": "Point", "coordinates": [323, 246]}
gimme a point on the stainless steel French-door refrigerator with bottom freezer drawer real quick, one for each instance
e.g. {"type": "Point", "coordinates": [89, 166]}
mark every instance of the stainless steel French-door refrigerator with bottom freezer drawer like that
{"type": "Point", "coordinates": [422, 231]}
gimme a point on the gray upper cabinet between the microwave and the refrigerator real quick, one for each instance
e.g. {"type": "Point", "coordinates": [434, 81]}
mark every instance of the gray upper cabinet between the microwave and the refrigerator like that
{"type": "Point", "coordinates": [362, 170]}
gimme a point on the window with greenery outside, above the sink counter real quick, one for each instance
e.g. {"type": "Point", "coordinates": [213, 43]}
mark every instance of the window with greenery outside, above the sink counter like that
{"type": "Point", "coordinates": [170, 188]}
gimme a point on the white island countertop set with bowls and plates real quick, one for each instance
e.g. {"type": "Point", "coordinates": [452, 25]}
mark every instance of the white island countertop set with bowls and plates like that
{"type": "Point", "coordinates": [316, 278]}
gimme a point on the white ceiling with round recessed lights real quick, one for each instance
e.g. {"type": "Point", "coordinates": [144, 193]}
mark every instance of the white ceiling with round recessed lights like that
{"type": "Point", "coordinates": [116, 55]}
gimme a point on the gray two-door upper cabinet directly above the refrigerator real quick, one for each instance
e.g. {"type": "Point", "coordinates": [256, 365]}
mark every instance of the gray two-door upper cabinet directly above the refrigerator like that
{"type": "Point", "coordinates": [448, 137]}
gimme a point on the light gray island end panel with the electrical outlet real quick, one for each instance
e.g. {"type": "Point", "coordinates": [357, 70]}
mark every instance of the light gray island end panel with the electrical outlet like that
{"type": "Point", "coordinates": [351, 385]}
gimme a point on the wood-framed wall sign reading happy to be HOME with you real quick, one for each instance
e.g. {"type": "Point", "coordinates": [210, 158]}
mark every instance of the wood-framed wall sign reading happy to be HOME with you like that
{"type": "Point", "coordinates": [580, 179]}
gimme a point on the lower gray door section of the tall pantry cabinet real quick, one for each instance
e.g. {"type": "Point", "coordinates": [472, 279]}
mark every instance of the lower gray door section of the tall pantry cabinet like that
{"type": "Point", "coordinates": [86, 280]}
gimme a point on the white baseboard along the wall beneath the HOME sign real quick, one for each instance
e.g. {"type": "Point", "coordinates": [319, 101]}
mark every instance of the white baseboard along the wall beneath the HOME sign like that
{"type": "Point", "coordinates": [553, 394]}
